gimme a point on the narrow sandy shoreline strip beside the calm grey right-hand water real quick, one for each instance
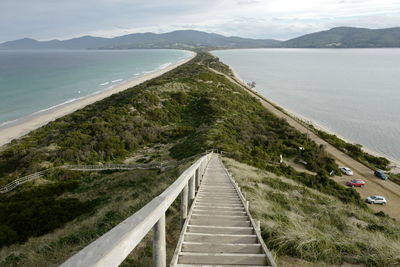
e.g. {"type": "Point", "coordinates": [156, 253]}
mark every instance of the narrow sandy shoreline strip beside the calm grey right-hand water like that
{"type": "Point", "coordinates": [394, 164]}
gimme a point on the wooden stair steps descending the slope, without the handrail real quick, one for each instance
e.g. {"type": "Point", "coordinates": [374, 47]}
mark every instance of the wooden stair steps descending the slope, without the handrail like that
{"type": "Point", "coordinates": [219, 231]}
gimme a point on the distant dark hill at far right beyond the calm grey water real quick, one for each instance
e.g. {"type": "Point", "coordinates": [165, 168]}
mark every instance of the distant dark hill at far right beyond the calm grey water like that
{"type": "Point", "coordinates": [347, 37]}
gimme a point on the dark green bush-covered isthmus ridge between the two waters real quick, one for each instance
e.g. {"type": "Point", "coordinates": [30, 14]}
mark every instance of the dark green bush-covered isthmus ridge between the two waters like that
{"type": "Point", "coordinates": [191, 101]}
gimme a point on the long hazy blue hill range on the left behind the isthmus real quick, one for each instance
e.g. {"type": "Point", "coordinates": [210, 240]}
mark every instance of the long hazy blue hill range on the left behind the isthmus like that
{"type": "Point", "coordinates": [177, 39]}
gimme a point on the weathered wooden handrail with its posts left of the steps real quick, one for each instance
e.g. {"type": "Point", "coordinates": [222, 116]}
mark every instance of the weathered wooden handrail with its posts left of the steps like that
{"type": "Point", "coordinates": [114, 246]}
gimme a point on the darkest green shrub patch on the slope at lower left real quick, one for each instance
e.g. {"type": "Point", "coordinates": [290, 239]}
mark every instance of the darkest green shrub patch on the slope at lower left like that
{"type": "Point", "coordinates": [38, 211]}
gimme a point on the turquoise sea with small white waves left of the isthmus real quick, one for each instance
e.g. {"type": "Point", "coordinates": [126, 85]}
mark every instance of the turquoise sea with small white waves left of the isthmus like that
{"type": "Point", "coordinates": [38, 80]}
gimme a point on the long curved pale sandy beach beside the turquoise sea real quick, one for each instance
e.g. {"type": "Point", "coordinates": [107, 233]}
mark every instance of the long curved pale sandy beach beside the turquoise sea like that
{"type": "Point", "coordinates": [7, 134]}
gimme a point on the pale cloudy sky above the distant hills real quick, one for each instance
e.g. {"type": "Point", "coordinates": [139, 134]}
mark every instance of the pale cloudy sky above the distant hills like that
{"type": "Point", "coordinates": [278, 19]}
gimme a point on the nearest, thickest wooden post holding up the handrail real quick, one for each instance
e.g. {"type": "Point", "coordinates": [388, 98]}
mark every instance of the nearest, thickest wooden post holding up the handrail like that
{"type": "Point", "coordinates": [159, 246]}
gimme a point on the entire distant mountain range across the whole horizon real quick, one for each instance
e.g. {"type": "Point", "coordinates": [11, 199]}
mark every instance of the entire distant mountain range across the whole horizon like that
{"type": "Point", "coordinates": [340, 37]}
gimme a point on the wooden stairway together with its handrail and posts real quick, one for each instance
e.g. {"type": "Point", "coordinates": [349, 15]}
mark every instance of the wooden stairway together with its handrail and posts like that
{"type": "Point", "coordinates": [217, 231]}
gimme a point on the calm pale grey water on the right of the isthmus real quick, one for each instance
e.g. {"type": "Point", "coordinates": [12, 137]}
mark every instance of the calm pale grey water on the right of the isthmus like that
{"type": "Point", "coordinates": [354, 93]}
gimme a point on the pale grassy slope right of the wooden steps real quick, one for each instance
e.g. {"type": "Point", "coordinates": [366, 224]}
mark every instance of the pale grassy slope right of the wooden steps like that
{"type": "Point", "coordinates": [305, 223]}
